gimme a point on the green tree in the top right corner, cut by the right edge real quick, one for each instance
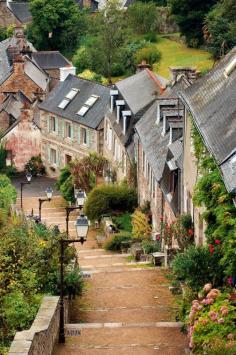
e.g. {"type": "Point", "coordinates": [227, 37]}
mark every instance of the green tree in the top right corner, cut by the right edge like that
{"type": "Point", "coordinates": [220, 28]}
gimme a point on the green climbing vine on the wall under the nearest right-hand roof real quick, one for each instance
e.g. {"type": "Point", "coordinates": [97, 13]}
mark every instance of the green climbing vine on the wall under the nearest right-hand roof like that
{"type": "Point", "coordinates": [220, 212]}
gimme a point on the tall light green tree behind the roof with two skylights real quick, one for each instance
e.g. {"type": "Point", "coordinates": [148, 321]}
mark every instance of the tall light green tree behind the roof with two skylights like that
{"type": "Point", "coordinates": [110, 36]}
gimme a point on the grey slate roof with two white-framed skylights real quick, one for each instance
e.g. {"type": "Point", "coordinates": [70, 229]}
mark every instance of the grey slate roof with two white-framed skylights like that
{"type": "Point", "coordinates": [87, 88]}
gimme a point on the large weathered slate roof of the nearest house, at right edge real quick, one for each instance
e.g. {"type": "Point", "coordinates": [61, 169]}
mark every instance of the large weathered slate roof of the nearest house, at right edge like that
{"type": "Point", "coordinates": [212, 102]}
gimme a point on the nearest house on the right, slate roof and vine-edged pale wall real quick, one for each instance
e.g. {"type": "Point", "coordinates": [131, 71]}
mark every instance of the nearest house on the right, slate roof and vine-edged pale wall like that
{"type": "Point", "coordinates": [211, 104]}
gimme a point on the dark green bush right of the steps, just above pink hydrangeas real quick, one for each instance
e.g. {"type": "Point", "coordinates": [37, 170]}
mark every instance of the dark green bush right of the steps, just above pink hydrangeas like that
{"type": "Point", "coordinates": [197, 266]}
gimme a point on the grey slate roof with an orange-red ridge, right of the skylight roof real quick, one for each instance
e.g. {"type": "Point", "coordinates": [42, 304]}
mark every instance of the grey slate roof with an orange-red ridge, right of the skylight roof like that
{"type": "Point", "coordinates": [139, 89]}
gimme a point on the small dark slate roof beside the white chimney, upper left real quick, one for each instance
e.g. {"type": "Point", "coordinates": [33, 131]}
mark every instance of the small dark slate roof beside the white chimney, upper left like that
{"type": "Point", "coordinates": [50, 59]}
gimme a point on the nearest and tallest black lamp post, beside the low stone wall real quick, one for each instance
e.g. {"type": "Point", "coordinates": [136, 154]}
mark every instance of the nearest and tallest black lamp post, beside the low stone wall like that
{"type": "Point", "coordinates": [82, 226]}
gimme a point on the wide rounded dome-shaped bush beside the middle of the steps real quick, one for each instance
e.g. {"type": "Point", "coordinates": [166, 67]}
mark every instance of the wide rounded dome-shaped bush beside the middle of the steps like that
{"type": "Point", "coordinates": [105, 199]}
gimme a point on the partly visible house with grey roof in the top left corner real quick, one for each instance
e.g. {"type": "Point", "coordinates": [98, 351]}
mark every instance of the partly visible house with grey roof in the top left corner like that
{"type": "Point", "coordinates": [14, 13]}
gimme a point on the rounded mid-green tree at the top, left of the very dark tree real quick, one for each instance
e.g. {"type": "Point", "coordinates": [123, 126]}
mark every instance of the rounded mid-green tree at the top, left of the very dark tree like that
{"type": "Point", "coordinates": [143, 17]}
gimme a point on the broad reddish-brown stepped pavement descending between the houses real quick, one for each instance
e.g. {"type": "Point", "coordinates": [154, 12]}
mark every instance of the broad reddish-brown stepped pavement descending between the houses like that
{"type": "Point", "coordinates": [125, 309]}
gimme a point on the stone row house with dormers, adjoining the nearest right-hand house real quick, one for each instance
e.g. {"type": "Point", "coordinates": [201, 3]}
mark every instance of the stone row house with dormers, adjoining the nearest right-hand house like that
{"type": "Point", "coordinates": [159, 147]}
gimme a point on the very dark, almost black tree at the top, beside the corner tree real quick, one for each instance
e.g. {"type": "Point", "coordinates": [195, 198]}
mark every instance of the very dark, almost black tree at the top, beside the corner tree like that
{"type": "Point", "coordinates": [190, 15]}
